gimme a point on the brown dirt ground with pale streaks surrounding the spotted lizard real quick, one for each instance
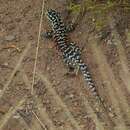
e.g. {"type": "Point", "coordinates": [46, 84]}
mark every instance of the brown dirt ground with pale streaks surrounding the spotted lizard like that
{"type": "Point", "coordinates": [60, 101]}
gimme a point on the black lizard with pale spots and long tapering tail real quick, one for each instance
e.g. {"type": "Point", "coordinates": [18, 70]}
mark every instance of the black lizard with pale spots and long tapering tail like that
{"type": "Point", "coordinates": [71, 52]}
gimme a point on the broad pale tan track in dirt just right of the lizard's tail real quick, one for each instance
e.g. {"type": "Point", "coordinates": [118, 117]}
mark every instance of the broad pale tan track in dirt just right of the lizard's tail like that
{"type": "Point", "coordinates": [112, 86]}
